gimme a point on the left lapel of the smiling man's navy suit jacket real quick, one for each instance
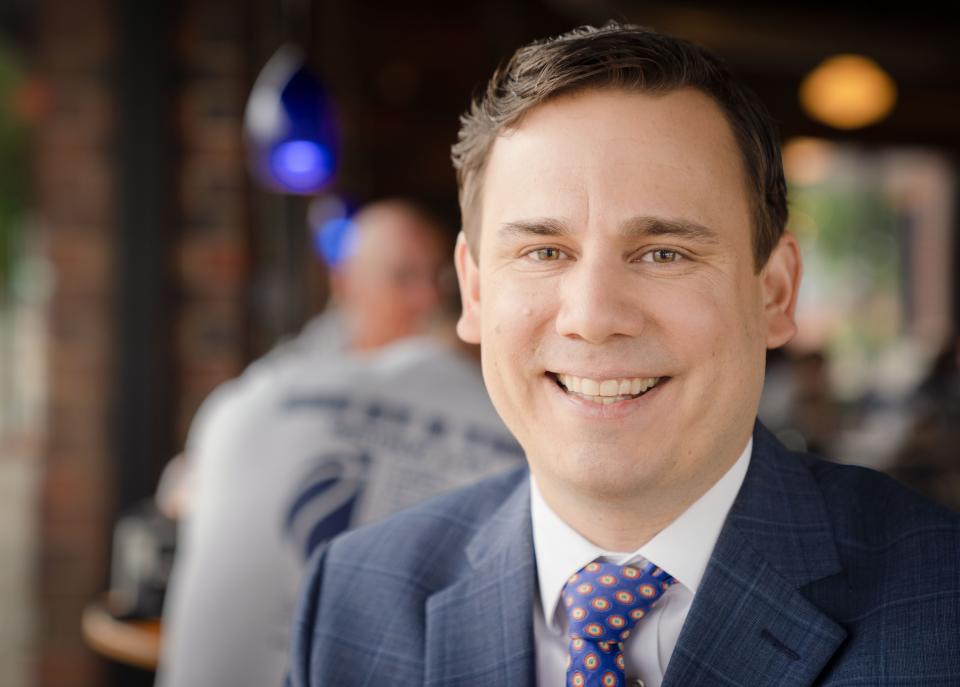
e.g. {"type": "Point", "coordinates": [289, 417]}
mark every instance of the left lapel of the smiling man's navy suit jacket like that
{"type": "Point", "coordinates": [480, 630]}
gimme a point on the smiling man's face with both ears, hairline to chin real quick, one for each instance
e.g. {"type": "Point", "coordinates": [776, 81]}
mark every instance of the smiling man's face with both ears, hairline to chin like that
{"type": "Point", "coordinates": [615, 253]}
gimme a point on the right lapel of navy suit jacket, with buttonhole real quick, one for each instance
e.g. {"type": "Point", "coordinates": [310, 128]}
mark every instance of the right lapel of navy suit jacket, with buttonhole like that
{"type": "Point", "coordinates": [749, 623]}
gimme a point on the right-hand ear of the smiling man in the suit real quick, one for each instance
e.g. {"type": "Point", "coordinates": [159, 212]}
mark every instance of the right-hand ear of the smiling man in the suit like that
{"type": "Point", "coordinates": [781, 283]}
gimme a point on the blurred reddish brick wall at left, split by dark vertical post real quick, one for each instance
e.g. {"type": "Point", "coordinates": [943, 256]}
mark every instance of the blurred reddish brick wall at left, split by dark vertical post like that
{"type": "Point", "coordinates": [76, 185]}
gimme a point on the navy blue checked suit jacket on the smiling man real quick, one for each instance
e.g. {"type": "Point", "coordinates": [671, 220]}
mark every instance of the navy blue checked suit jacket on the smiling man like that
{"type": "Point", "coordinates": [822, 575]}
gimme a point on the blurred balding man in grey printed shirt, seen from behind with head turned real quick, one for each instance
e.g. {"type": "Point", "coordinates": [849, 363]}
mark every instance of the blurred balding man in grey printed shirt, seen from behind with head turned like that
{"type": "Point", "coordinates": [315, 440]}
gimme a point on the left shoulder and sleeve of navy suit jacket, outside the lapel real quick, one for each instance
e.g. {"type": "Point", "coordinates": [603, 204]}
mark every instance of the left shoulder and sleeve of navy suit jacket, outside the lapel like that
{"type": "Point", "coordinates": [397, 563]}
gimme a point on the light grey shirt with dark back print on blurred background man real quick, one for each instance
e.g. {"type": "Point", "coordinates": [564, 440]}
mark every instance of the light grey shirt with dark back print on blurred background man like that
{"type": "Point", "coordinates": [300, 456]}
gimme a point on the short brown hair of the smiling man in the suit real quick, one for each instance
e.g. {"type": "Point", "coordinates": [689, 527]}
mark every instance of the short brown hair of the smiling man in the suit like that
{"type": "Point", "coordinates": [627, 57]}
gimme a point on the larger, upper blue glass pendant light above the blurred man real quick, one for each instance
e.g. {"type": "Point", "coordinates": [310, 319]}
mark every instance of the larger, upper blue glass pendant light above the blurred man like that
{"type": "Point", "coordinates": [290, 132]}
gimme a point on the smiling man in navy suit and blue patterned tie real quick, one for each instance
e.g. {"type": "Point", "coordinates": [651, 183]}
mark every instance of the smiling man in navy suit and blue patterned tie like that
{"type": "Point", "coordinates": [624, 265]}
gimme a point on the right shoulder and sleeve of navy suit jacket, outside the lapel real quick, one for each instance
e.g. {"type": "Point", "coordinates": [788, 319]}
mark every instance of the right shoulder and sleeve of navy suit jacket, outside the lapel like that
{"type": "Point", "coordinates": [899, 593]}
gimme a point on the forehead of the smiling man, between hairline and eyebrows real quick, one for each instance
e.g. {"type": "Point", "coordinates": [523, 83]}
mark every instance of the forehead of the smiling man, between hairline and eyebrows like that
{"type": "Point", "coordinates": [631, 155]}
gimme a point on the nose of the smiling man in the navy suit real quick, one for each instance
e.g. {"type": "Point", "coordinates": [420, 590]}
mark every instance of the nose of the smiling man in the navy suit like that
{"type": "Point", "coordinates": [596, 303]}
